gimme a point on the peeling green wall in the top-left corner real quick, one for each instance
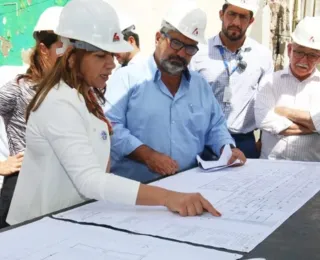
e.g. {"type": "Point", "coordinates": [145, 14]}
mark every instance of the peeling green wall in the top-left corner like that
{"type": "Point", "coordinates": [17, 20]}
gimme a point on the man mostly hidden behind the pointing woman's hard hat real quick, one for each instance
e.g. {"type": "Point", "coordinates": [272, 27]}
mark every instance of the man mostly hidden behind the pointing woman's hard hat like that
{"type": "Point", "coordinates": [130, 35]}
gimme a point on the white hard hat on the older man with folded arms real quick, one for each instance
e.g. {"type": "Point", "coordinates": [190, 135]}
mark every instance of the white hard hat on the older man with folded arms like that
{"type": "Point", "coordinates": [307, 33]}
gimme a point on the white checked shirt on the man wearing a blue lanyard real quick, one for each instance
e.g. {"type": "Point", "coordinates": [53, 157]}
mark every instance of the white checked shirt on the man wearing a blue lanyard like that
{"type": "Point", "coordinates": [239, 111]}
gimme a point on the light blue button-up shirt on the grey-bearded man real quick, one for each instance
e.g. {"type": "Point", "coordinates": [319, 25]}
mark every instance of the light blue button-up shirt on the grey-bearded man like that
{"type": "Point", "coordinates": [143, 111]}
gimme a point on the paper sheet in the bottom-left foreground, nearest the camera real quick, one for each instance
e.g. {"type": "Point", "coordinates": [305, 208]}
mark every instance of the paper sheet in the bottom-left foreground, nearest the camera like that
{"type": "Point", "coordinates": [57, 240]}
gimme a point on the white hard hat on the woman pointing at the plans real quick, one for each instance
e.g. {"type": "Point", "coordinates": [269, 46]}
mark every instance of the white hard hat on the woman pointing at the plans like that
{"type": "Point", "coordinates": [93, 24]}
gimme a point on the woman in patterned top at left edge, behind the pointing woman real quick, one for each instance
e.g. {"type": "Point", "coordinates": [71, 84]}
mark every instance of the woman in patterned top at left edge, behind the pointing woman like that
{"type": "Point", "coordinates": [16, 95]}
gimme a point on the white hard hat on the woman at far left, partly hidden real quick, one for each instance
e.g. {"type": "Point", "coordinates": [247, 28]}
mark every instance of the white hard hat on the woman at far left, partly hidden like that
{"type": "Point", "coordinates": [48, 20]}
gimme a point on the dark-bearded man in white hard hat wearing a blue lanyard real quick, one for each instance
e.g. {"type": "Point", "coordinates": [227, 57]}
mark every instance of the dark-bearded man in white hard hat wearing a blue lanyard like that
{"type": "Point", "coordinates": [234, 65]}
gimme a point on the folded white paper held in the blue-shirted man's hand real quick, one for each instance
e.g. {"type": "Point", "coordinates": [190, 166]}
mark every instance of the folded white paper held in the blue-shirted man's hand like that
{"type": "Point", "coordinates": [219, 164]}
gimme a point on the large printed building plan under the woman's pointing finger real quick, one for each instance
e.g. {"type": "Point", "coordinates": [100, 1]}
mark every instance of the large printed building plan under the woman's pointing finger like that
{"type": "Point", "coordinates": [254, 199]}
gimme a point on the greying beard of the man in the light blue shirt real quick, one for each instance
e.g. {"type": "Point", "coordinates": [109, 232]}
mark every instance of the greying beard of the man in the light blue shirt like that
{"type": "Point", "coordinates": [173, 65]}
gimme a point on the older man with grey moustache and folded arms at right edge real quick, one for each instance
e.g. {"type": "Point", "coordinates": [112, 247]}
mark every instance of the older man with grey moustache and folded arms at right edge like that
{"type": "Point", "coordinates": [287, 107]}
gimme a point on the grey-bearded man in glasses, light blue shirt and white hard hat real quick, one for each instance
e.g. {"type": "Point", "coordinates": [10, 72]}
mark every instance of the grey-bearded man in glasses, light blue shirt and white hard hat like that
{"type": "Point", "coordinates": [163, 115]}
